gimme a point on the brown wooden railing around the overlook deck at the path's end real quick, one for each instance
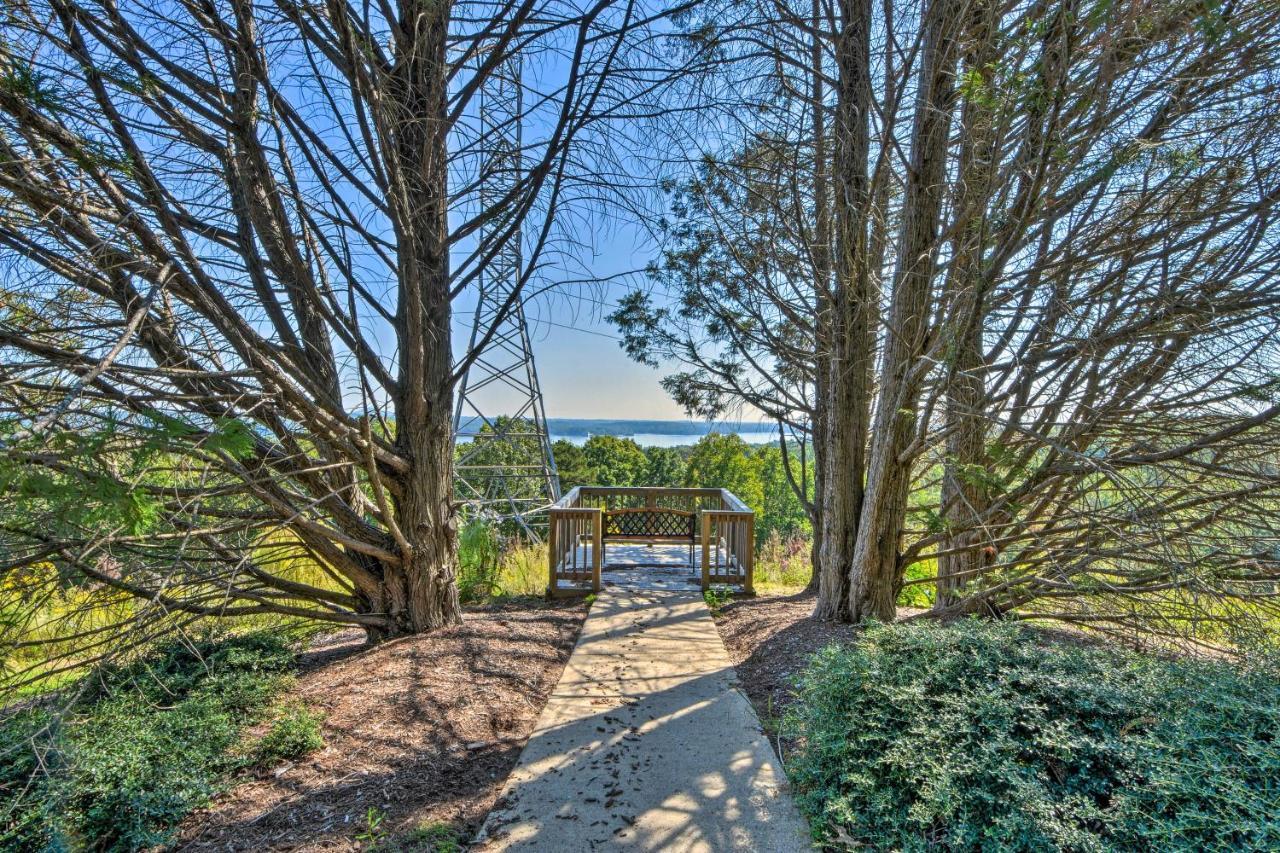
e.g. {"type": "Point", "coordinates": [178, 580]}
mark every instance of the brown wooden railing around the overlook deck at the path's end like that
{"type": "Point", "coordinates": [725, 530]}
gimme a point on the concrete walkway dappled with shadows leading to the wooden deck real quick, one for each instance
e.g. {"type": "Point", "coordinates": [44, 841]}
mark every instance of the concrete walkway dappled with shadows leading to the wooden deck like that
{"type": "Point", "coordinates": [647, 743]}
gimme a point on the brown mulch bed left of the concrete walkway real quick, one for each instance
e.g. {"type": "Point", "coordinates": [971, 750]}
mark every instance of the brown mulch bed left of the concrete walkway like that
{"type": "Point", "coordinates": [423, 729]}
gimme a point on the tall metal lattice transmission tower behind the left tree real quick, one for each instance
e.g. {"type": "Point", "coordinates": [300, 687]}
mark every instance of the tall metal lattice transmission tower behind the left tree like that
{"type": "Point", "coordinates": [500, 427]}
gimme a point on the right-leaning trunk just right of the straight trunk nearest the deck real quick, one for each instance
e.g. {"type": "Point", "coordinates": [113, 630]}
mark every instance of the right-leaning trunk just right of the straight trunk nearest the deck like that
{"type": "Point", "coordinates": [875, 578]}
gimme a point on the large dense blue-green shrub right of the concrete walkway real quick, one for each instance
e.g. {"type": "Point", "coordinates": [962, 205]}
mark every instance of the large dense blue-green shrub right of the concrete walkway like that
{"type": "Point", "coordinates": [981, 737]}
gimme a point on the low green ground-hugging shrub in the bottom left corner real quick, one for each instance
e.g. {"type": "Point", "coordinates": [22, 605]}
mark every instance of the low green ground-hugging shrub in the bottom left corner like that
{"type": "Point", "coordinates": [143, 746]}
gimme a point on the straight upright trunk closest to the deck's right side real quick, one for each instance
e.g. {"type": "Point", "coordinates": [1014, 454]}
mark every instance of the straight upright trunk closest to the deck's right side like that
{"type": "Point", "coordinates": [851, 348]}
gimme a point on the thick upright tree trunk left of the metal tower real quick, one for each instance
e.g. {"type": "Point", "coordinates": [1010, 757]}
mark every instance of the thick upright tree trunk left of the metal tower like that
{"type": "Point", "coordinates": [422, 594]}
